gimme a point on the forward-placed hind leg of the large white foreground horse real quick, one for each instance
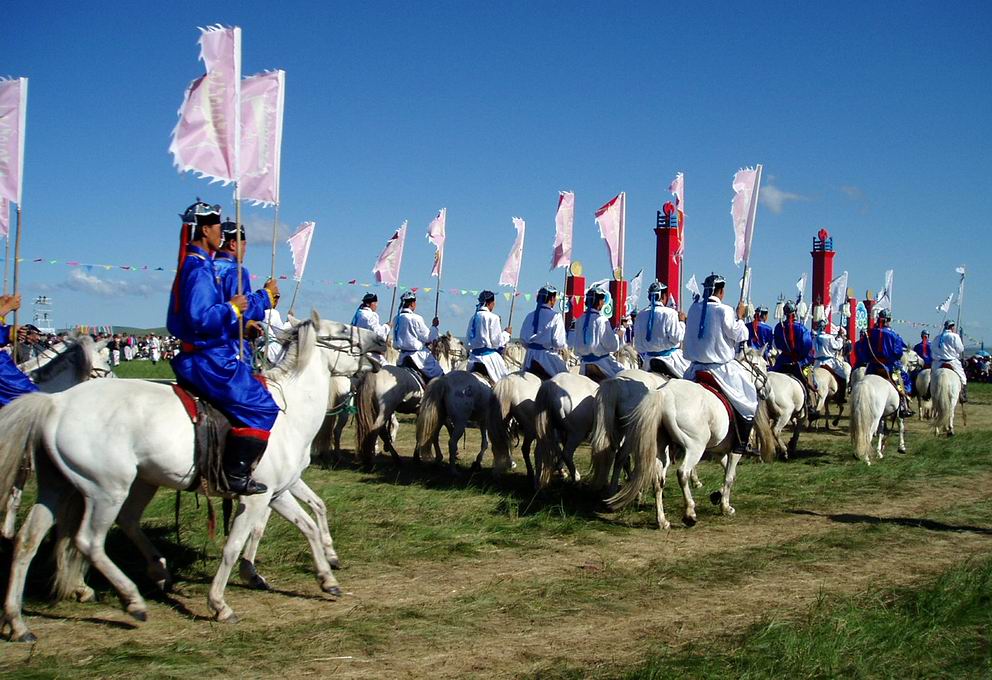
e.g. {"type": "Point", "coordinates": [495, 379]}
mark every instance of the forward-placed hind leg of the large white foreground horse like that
{"type": "Point", "coordinates": [100, 514]}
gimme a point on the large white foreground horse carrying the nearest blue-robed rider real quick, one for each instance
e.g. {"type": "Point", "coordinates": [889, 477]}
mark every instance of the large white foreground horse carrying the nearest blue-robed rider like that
{"type": "Point", "coordinates": [94, 467]}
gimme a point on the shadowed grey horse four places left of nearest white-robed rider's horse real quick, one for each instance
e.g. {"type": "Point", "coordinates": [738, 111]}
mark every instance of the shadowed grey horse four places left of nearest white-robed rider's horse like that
{"type": "Point", "coordinates": [453, 400]}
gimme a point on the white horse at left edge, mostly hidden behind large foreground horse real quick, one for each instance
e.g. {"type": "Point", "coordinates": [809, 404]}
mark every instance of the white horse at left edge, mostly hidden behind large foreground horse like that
{"type": "Point", "coordinates": [55, 369]}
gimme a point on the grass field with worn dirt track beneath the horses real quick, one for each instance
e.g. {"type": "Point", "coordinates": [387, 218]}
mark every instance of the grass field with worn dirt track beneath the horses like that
{"type": "Point", "coordinates": [830, 568]}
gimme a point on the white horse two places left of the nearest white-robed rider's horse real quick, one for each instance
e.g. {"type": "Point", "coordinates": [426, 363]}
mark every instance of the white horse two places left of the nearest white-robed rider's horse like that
{"type": "Point", "coordinates": [565, 410]}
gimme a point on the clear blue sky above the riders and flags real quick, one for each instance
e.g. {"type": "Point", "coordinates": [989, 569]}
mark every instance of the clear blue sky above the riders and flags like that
{"type": "Point", "coordinates": [871, 120]}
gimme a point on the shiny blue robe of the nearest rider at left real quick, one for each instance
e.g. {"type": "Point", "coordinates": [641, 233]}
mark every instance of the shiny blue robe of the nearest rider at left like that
{"type": "Point", "coordinates": [207, 324]}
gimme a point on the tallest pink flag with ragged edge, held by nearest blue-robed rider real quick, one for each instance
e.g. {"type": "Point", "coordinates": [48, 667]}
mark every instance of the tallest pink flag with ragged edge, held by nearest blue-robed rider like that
{"type": "Point", "coordinates": [206, 139]}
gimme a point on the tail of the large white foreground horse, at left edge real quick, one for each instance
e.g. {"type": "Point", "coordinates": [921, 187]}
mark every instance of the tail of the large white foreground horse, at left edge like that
{"type": "Point", "coordinates": [21, 422]}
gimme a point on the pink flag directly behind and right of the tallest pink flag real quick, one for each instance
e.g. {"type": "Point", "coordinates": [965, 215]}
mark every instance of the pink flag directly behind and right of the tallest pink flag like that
{"type": "Point", "coordinates": [262, 98]}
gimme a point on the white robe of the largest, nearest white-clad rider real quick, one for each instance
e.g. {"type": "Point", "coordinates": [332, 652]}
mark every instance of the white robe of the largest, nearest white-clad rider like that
{"type": "Point", "coordinates": [715, 351]}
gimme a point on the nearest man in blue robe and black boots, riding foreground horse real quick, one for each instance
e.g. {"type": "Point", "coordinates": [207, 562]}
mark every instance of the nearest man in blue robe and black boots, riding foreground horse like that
{"type": "Point", "coordinates": [207, 325]}
